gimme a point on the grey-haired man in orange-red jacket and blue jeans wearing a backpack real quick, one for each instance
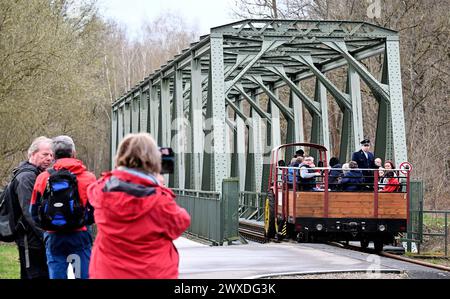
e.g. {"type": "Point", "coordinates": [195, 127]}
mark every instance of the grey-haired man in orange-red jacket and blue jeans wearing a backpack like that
{"type": "Point", "coordinates": [65, 246]}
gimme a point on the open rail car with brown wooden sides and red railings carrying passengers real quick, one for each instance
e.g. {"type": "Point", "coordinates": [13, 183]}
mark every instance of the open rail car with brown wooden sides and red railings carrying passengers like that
{"type": "Point", "coordinates": [331, 215]}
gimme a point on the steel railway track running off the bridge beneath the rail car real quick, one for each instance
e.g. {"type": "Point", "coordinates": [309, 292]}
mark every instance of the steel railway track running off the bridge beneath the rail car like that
{"type": "Point", "coordinates": [254, 231]}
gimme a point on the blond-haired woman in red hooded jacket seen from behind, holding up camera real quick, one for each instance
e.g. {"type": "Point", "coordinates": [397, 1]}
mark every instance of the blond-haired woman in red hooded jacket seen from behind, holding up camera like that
{"type": "Point", "coordinates": [137, 217]}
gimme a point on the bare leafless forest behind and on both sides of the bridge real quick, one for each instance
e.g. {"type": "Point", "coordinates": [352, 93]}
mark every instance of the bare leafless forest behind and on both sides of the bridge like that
{"type": "Point", "coordinates": [62, 64]}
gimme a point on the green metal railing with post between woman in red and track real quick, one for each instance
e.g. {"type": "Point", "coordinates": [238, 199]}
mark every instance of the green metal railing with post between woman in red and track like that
{"type": "Point", "coordinates": [214, 216]}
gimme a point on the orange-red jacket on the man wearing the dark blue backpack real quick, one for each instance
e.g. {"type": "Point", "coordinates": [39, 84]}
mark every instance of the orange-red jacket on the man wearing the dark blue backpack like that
{"type": "Point", "coordinates": [84, 179]}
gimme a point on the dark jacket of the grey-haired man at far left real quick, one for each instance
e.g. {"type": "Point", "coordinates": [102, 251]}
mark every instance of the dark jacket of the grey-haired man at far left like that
{"type": "Point", "coordinates": [22, 187]}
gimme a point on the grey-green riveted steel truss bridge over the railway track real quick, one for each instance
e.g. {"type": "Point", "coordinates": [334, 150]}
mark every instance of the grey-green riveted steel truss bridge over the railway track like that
{"type": "Point", "coordinates": [197, 102]}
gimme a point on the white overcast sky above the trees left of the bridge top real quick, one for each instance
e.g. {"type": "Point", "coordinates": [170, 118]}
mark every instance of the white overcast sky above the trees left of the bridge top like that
{"type": "Point", "coordinates": [199, 14]}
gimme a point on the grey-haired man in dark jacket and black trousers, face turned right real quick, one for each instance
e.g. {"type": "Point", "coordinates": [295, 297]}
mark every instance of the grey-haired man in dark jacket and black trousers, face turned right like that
{"type": "Point", "coordinates": [29, 238]}
